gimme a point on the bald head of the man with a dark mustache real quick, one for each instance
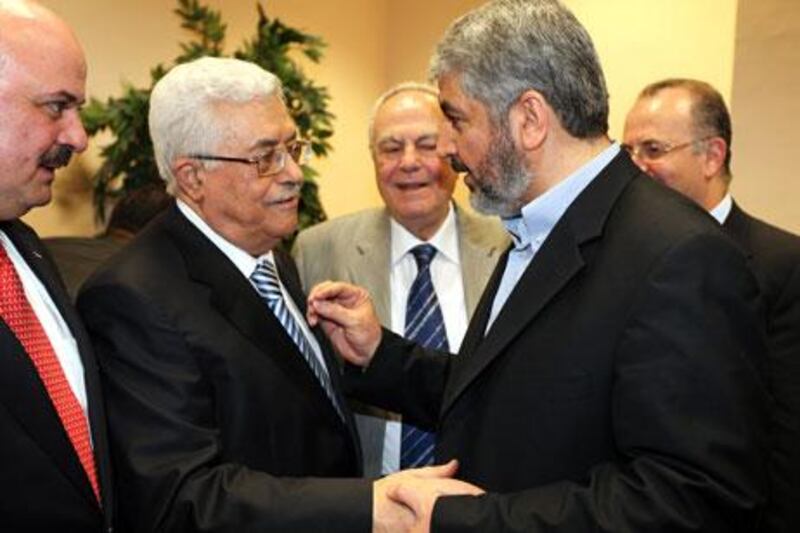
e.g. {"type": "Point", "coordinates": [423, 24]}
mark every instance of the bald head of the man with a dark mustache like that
{"type": "Point", "coordinates": [42, 86]}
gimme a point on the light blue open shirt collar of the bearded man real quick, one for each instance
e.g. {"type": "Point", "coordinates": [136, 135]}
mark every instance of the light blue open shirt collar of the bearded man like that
{"type": "Point", "coordinates": [538, 217]}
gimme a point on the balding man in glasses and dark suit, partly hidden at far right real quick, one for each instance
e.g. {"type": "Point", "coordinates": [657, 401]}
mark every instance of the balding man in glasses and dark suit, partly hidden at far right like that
{"type": "Point", "coordinates": [679, 131]}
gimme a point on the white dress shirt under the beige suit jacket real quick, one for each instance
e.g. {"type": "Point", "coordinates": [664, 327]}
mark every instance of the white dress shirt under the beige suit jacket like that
{"type": "Point", "coordinates": [449, 286]}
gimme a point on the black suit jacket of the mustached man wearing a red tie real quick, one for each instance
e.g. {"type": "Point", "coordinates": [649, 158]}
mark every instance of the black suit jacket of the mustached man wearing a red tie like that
{"type": "Point", "coordinates": [43, 486]}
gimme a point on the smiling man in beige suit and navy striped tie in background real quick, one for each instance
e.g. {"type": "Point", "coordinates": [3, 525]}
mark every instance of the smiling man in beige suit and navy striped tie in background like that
{"type": "Point", "coordinates": [392, 251]}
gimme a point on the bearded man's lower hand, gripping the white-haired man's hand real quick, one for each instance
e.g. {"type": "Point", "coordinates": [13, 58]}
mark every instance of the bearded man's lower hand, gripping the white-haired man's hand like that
{"type": "Point", "coordinates": [419, 493]}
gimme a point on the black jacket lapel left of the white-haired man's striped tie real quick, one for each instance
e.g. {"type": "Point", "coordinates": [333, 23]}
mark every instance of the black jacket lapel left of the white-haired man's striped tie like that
{"type": "Point", "coordinates": [237, 301]}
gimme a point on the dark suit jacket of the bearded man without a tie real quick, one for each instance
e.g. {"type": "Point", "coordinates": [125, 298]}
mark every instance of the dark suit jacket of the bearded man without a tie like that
{"type": "Point", "coordinates": [616, 390]}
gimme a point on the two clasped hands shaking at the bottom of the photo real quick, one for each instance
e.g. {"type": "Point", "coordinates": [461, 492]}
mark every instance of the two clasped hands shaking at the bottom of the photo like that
{"type": "Point", "coordinates": [404, 501]}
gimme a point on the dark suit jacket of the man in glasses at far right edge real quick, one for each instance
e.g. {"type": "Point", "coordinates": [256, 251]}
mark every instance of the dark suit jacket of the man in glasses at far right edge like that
{"type": "Point", "coordinates": [775, 258]}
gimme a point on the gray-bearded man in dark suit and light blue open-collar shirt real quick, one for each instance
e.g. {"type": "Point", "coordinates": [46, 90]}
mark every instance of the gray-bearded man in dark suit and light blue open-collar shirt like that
{"type": "Point", "coordinates": [607, 380]}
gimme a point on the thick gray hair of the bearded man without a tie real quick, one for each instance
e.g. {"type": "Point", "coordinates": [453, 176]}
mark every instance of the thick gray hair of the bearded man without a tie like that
{"type": "Point", "coordinates": [506, 47]}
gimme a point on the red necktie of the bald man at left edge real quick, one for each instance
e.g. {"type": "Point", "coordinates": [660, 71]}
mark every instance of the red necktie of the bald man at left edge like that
{"type": "Point", "coordinates": [17, 313]}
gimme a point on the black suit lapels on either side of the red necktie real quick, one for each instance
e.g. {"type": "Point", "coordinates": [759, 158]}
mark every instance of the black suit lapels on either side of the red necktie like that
{"type": "Point", "coordinates": [21, 388]}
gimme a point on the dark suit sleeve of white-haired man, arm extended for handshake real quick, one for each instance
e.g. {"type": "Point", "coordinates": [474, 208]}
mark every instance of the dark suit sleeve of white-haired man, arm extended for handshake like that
{"type": "Point", "coordinates": [166, 437]}
